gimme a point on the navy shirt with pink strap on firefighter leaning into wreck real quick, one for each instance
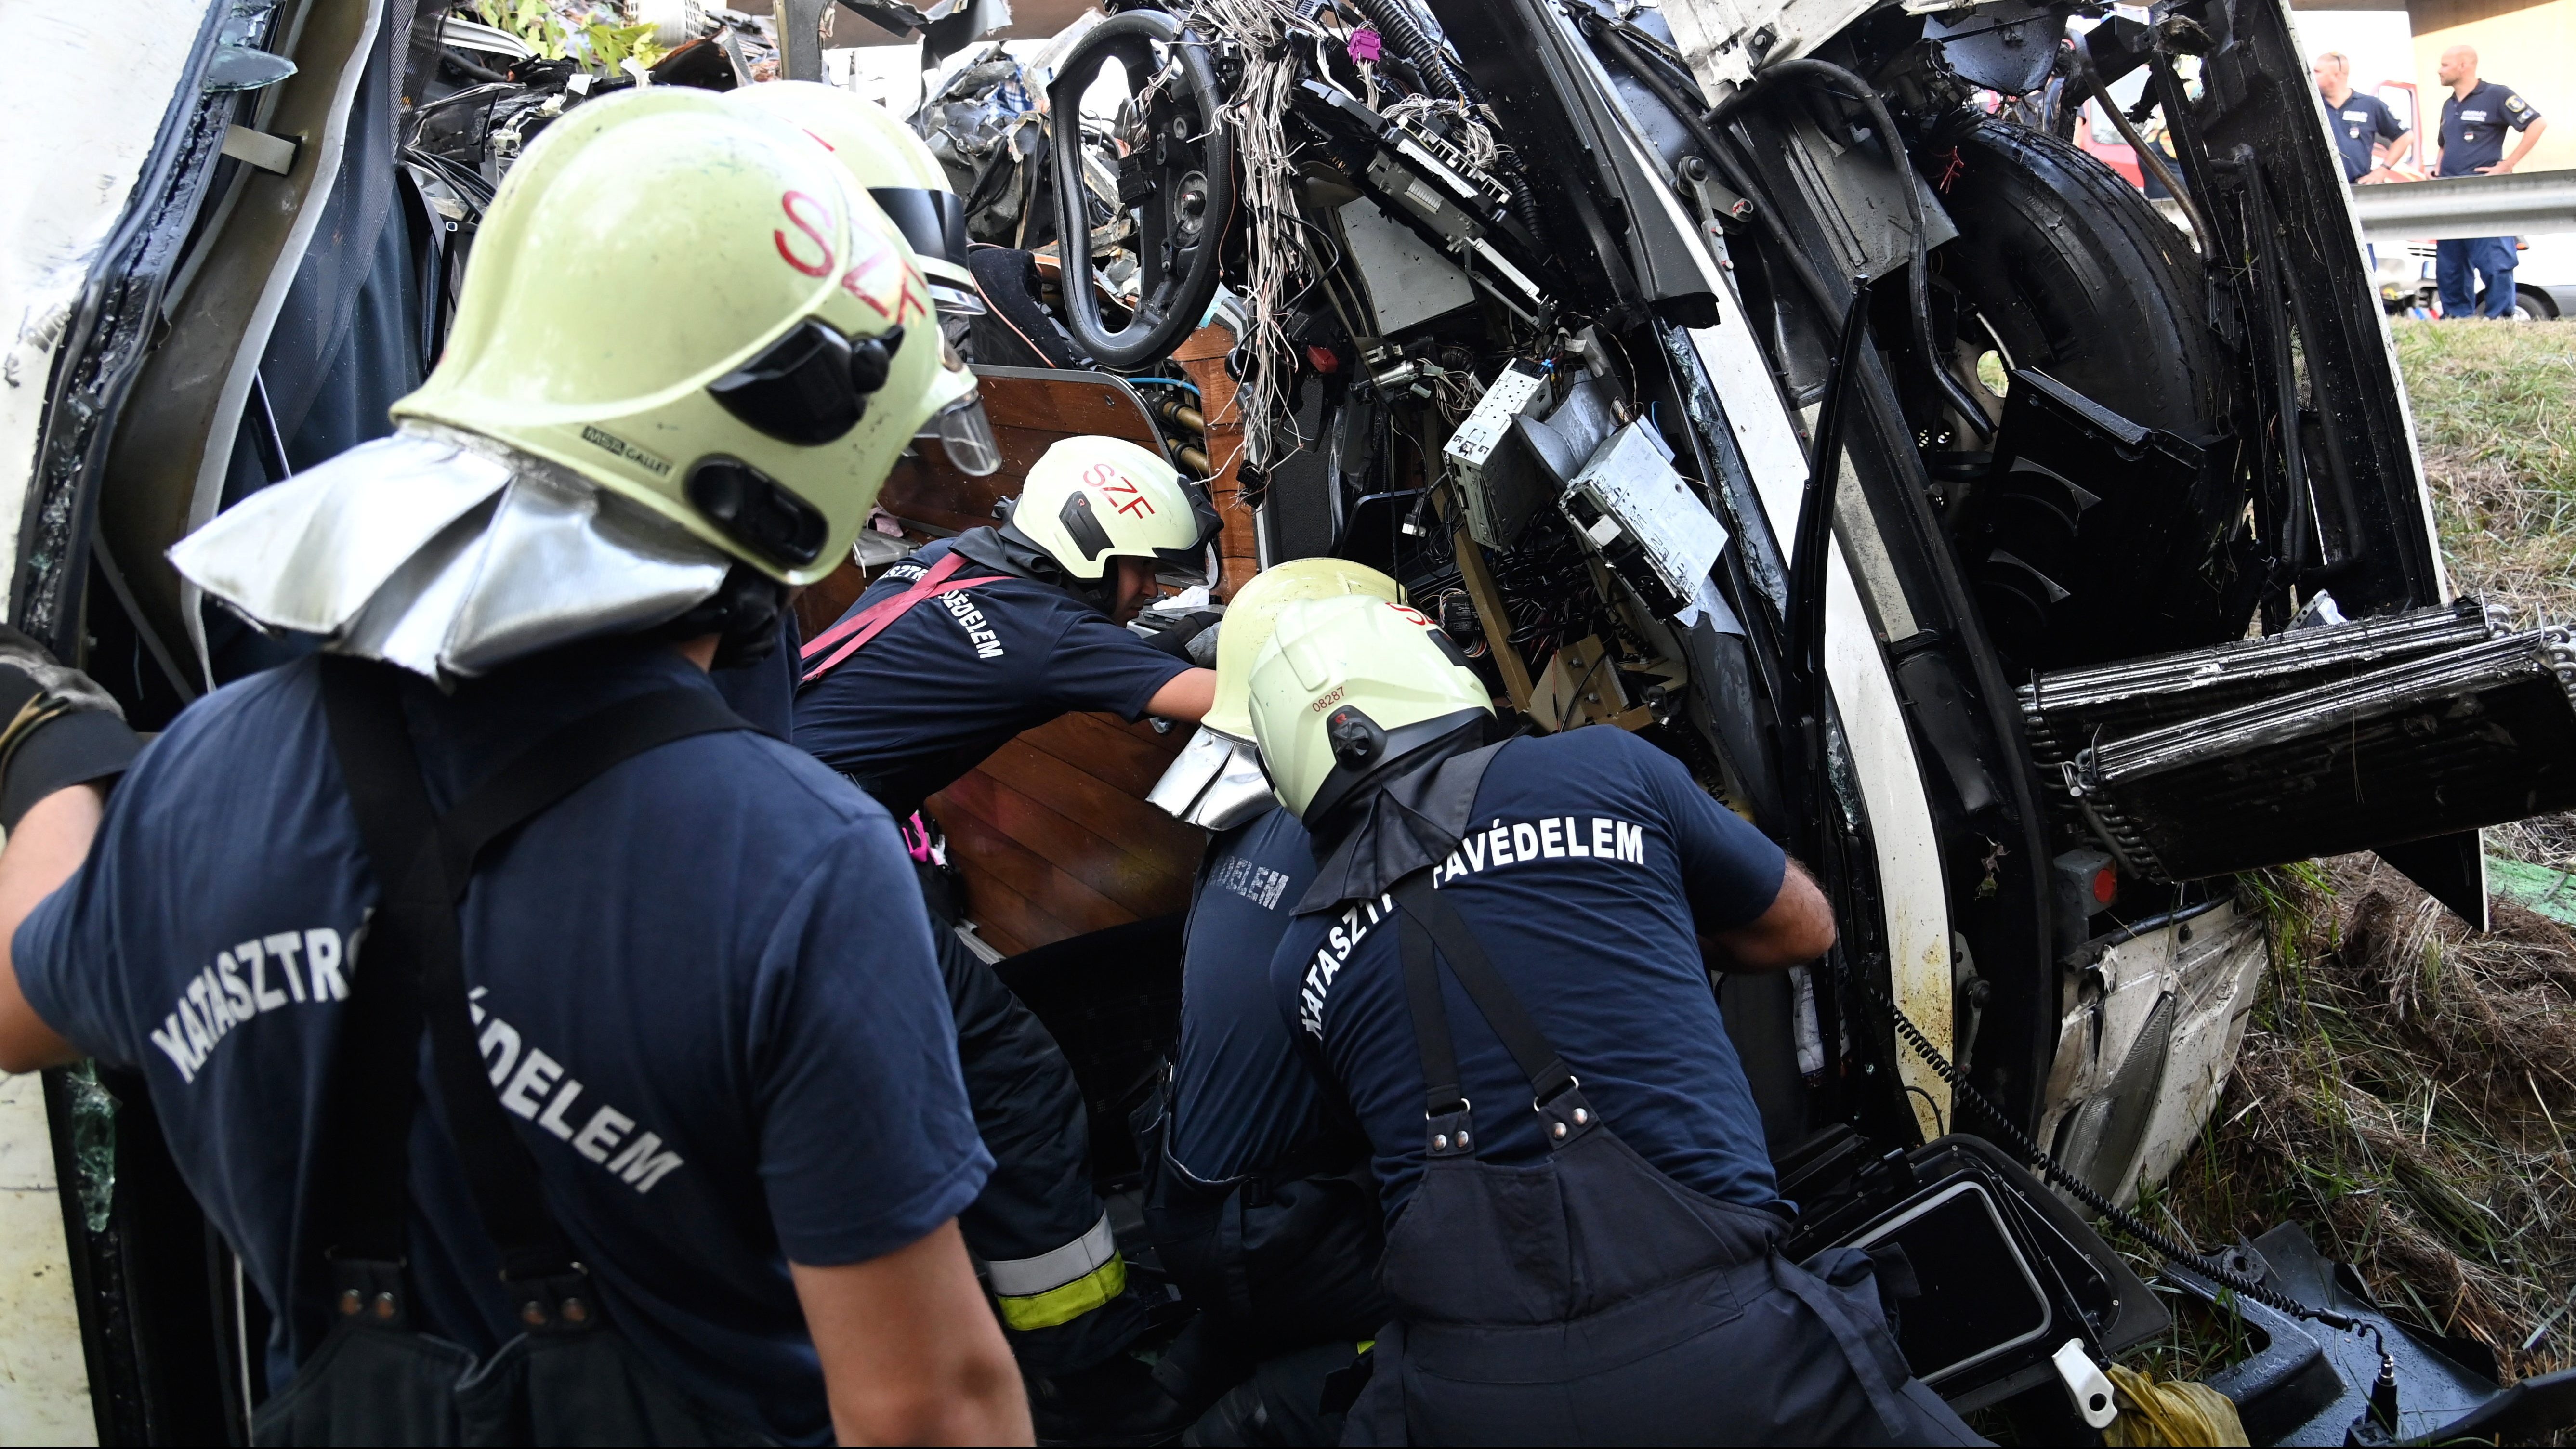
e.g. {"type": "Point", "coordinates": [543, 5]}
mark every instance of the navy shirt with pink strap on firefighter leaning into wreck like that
{"type": "Point", "coordinates": [944, 686]}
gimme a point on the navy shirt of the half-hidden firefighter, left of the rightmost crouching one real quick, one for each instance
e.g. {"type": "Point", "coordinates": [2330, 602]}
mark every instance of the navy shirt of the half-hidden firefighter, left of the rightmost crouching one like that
{"type": "Point", "coordinates": [1243, 1098]}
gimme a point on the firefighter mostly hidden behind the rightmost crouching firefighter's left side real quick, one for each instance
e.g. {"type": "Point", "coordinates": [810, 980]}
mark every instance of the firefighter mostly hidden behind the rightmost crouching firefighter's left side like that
{"type": "Point", "coordinates": [1258, 1193]}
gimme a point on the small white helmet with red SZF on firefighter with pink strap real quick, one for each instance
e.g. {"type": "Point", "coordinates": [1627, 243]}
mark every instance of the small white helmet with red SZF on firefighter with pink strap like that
{"type": "Point", "coordinates": [1091, 501]}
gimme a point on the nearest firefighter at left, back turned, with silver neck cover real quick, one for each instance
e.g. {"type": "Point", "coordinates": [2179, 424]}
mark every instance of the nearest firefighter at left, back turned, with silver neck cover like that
{"type": "Point", "coordinates": [697, 1139]}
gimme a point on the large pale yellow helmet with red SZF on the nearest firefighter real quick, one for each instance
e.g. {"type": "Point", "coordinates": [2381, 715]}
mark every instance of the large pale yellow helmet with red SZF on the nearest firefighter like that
{"type": "Point", "coordinates": [694, 308]}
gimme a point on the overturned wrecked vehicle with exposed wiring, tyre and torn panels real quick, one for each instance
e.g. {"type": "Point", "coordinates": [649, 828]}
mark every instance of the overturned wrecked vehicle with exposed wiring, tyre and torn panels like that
{"type": "Point", "coordinates": [1763, 377]}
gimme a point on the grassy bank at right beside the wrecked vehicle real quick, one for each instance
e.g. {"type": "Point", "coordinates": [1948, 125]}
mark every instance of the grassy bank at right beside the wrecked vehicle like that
{"type": "Point", "coordinates": [2410, 1087]}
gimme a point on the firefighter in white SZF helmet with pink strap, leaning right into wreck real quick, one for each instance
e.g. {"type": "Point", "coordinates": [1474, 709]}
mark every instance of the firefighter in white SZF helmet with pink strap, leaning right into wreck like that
{"type": "Point", "coordinates": [939, 663]}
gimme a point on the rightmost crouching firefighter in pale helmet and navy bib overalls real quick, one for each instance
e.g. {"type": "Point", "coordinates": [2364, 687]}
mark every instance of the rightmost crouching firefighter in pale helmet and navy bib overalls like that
{"type": "Point", "coordinates": [1503, 969]}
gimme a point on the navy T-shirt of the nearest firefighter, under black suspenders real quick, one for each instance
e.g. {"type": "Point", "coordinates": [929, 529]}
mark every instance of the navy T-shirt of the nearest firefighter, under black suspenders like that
{"type": "Point", "coordinates": [705, 990]}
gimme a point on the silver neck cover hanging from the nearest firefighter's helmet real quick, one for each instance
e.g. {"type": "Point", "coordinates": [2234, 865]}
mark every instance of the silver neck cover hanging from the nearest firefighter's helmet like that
{"type": "Point", "coordinates": [447, 555]}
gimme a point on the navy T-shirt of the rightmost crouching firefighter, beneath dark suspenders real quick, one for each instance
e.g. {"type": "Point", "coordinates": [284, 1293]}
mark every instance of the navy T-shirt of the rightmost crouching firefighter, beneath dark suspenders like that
{"type": "Point", "coordinates": [1593, 866]}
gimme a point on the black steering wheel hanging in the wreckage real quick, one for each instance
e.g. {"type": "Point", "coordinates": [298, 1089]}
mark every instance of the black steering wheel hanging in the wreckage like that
{"type": "Point", "coordinates": [1179, 179]}
